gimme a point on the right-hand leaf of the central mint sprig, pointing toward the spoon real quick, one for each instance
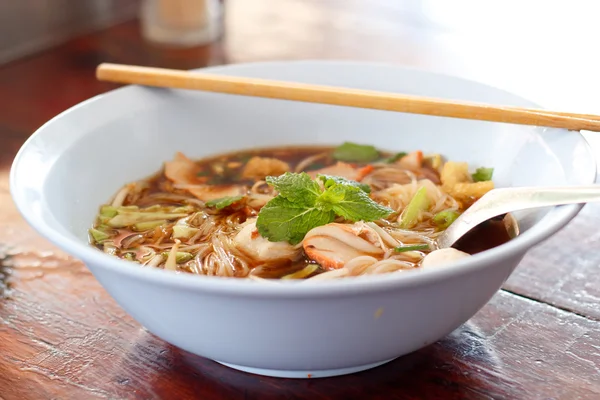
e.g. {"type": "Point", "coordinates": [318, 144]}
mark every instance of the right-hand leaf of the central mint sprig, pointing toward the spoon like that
{"type": "Point", "coordinates": [353, 204]}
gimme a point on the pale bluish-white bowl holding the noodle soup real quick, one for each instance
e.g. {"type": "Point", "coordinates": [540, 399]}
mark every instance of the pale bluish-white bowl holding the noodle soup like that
{"type": "Point", "coordinates": [79, 159]}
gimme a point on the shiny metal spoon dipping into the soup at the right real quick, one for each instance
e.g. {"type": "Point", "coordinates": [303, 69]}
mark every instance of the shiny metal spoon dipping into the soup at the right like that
{"type": "Point", "coordinates": [501, 201]}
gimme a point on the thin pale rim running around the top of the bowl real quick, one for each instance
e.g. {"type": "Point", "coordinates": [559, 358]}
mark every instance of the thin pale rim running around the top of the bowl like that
{"type": "Point", "coordinates": [290, 289]}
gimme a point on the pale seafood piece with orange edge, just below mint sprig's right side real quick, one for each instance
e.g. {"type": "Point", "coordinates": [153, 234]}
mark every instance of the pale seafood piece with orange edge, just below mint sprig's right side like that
{"type": "Point", "coordinates": [333, 245]}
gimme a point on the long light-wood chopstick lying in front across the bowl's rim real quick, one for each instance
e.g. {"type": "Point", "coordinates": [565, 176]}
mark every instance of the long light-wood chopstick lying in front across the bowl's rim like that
{"type": "Point", "coordinates": [160, 77]}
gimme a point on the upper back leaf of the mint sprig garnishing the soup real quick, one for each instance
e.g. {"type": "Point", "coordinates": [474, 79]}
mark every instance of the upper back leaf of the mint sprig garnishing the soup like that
{"type": "Point", "coordinates": [298, 188]}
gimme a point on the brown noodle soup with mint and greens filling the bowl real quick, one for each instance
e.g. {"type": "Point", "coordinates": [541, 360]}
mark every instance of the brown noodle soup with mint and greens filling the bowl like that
{"type": "Point", "coordinates": [295, 213]}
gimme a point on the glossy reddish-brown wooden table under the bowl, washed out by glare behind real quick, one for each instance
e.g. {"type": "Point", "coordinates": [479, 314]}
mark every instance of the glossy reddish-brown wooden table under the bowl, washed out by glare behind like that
{"type": "Point", "coordinates": [63, 337]}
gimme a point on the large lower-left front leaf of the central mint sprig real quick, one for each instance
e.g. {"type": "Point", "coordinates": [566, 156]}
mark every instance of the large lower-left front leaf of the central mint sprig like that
{"type": "Point", "coordinates": [282, 220]}
